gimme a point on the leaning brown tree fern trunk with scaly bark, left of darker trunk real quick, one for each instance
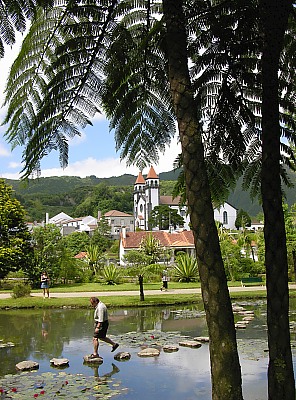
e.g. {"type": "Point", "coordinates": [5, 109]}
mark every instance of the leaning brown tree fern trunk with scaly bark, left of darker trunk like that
{"type": "Point", "coordinates": [225, 367]}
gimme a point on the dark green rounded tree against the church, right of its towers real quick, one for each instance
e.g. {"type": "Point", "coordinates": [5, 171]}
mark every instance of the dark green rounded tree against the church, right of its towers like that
{"type": "Point", "coordinates": [165, 217]}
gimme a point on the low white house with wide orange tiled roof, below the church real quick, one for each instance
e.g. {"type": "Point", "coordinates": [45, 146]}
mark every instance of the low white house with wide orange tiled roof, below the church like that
{"type": "Point", "coordinates": [176, 242]}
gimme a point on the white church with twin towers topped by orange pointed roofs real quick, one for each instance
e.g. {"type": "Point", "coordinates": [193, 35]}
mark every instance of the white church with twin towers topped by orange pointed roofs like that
{"type": "Point", "coordinates": [147, 196]}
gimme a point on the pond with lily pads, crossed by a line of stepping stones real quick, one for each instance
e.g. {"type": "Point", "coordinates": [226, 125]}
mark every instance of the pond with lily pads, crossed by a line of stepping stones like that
{"type": "Point", "coordinates": [41, 335]}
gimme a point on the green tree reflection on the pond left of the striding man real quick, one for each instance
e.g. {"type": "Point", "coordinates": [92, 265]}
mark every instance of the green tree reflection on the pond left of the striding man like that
{"type": "Point", "coordinates": [23, 328]}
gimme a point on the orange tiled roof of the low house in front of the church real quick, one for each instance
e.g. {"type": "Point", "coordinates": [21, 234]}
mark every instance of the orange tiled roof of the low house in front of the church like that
{"type": "Point", "coordinates": [166, 239]}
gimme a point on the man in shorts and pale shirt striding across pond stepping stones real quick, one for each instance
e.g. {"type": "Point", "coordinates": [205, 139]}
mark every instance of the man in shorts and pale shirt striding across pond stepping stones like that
{"type": "Point", "coordinates": [101, 326]}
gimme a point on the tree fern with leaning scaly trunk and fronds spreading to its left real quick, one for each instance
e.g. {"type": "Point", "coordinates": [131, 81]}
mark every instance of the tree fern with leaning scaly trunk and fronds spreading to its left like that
{"type": "Point", "coordinates": [147, 95]}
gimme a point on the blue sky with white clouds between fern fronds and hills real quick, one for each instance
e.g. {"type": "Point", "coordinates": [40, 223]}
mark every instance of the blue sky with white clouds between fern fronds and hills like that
{"type": "Point", "coordinates": [93, 153]}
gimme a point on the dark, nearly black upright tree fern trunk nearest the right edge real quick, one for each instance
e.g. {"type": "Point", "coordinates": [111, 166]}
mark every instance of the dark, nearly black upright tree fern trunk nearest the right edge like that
{"type": "Point", "coordinates": [281, 383]}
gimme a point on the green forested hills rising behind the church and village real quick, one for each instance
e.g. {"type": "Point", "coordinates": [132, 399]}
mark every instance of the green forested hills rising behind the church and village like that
{"type": "Point", "coordinates": [85, 196]}
